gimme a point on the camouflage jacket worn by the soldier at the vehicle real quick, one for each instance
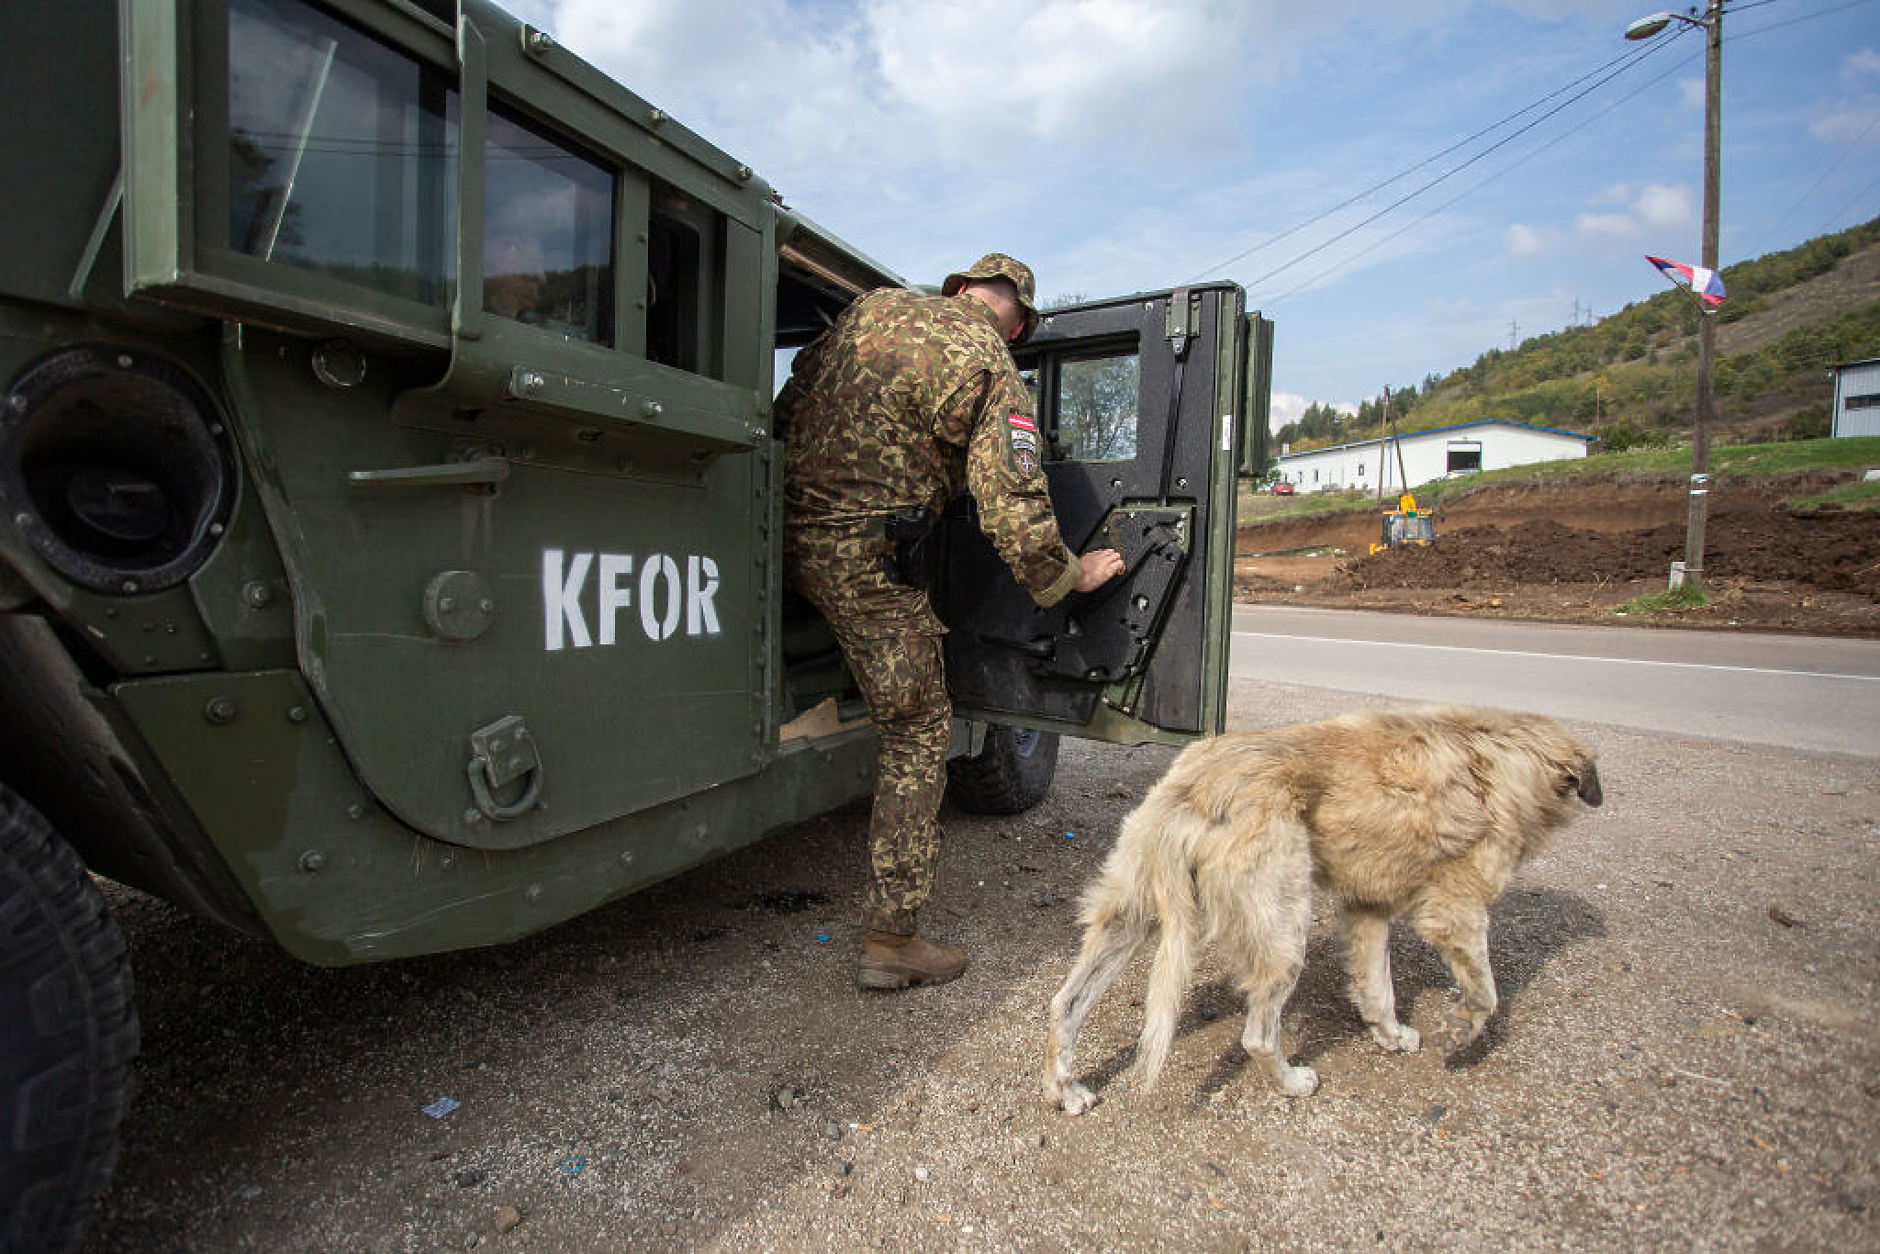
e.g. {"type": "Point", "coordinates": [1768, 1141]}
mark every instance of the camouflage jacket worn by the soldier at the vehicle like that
{"type": "Point", "coordinates": [909, 401]}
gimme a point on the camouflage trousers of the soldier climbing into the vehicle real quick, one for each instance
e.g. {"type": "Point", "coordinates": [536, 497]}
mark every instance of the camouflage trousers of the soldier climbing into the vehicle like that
{"type": "Point", "coordinates": [892, 644]}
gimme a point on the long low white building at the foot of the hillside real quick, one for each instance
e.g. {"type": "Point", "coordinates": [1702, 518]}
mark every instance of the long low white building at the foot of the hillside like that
{"type": "Point", "coordinates": [1488, 445]}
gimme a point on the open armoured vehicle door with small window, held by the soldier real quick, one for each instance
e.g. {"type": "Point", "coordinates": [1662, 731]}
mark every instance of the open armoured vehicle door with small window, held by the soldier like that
{"type": "Point", "coordinates": [1144, 405]}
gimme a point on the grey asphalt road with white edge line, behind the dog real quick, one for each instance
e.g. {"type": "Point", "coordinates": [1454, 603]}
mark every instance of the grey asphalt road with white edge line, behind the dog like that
{"type": "Point", "coordinates": [1787, 691]}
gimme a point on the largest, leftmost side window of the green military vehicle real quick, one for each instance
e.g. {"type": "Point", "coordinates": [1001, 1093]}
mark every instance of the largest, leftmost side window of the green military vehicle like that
{"type": "Point", "coordinates": [341, 153]}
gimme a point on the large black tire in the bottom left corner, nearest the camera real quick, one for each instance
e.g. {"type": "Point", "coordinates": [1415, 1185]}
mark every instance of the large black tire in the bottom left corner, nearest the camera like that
{"type": "Point", "coordinates": [69, 1035]}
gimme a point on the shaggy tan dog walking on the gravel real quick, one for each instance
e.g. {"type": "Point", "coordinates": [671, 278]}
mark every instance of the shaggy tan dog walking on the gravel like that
{"type": "Point", "coordinates": [1420, 813]}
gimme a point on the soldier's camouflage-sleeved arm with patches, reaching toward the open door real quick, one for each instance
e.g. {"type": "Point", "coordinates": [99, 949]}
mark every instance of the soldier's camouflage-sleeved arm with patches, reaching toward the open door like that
{"type": "Point", "coordinates": [1009, 484]}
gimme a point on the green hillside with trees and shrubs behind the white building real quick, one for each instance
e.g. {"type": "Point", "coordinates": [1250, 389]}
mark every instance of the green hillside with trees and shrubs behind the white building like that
{"type": "Point", "coordinates": [1631, 379]}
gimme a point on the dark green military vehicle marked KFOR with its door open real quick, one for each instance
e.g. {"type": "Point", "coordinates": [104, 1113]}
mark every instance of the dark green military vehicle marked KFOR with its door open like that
{"type": "Point", "coordinates": [390, 512]}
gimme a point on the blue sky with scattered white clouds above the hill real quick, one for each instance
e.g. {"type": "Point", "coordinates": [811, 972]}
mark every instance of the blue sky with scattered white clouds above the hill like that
{"type": "Point", "coordinates": [1125, 146]}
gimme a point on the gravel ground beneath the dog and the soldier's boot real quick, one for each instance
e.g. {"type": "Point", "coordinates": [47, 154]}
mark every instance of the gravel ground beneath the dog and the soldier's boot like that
{"type": "Point", "coordinates": [1687, 1056]}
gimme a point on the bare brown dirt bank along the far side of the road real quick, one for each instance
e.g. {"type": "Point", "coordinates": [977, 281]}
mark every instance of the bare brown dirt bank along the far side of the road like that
{"type": "Point", "coordinates": [1576, 552]}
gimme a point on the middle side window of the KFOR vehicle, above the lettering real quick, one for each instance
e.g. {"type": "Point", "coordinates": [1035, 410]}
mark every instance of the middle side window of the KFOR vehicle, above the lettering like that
{"type": "Point", "coordinates": [548, 236]}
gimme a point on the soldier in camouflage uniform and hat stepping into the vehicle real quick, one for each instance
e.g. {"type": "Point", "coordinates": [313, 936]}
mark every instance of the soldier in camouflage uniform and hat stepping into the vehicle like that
{"type": "Point", "coordinates": [901, 405]}
